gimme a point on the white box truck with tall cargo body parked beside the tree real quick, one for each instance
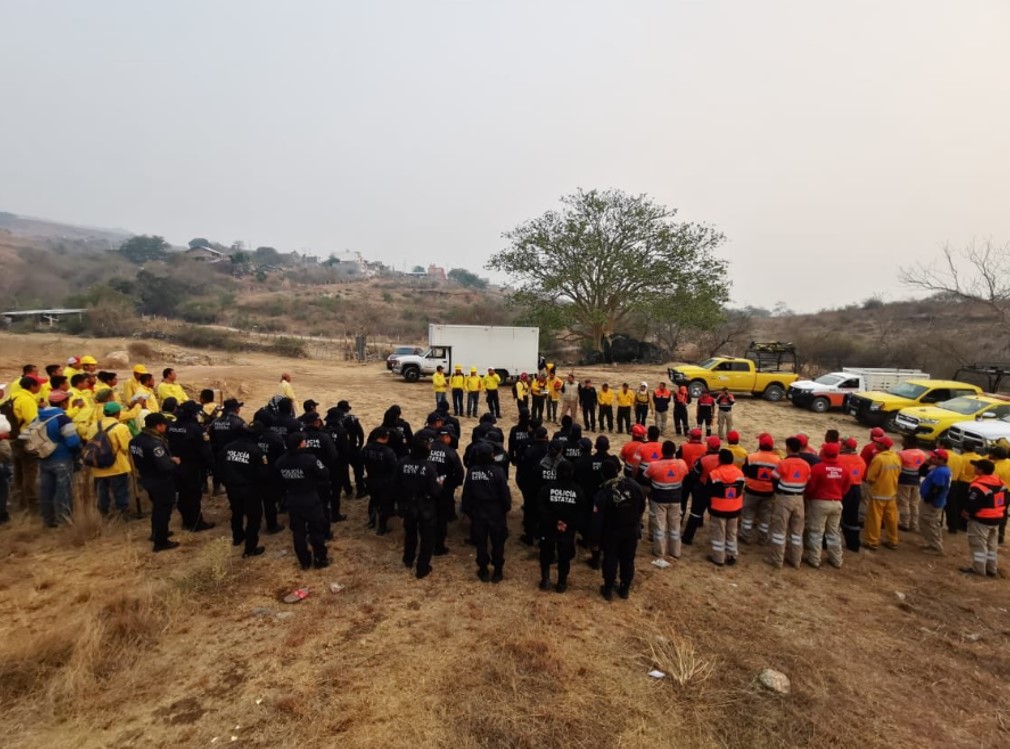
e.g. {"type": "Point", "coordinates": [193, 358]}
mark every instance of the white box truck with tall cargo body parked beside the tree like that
{"type": "Point", "coordinates": [509, 351]}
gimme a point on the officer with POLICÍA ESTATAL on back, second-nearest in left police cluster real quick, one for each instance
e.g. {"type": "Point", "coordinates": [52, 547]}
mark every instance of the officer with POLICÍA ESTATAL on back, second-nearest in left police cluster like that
{"type": "Point", "coordinates": [245, 471]}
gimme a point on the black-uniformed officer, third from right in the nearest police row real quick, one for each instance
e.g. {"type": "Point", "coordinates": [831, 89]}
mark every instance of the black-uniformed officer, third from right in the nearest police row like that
{"type": "Point", "coordinates": [487, 500]}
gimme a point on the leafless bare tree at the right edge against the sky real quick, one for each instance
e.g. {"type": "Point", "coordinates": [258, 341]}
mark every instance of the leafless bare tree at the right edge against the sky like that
{"type": "Point", "coordinates": [979, 273]}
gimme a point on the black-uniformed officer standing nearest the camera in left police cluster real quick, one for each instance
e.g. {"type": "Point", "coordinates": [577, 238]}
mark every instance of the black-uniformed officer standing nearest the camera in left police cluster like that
{"type": "Point", "coordinates": [302, 473]}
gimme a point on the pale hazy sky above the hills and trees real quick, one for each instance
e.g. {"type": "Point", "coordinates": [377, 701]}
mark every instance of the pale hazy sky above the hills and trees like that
{"type": "Point", "coordinates": [831, 142]}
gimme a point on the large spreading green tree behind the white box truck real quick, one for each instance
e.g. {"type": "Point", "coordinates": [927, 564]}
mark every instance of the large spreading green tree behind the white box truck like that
{"type": "Point", "coordinates": [609, 259]}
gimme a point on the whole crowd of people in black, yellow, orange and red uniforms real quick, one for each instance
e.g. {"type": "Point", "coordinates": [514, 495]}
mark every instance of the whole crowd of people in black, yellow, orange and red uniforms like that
{"type": "Point", "coordinates": [78, 431]}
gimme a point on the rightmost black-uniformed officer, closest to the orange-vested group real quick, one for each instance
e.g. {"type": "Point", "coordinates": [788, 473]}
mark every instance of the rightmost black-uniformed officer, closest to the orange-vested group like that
{"type": "Point", "coordinates": [618, 510]}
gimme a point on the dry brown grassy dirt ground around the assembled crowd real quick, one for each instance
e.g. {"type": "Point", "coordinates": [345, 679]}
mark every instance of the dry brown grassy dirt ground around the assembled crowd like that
{"type": "Point", "coordinates": [106, 645]}
